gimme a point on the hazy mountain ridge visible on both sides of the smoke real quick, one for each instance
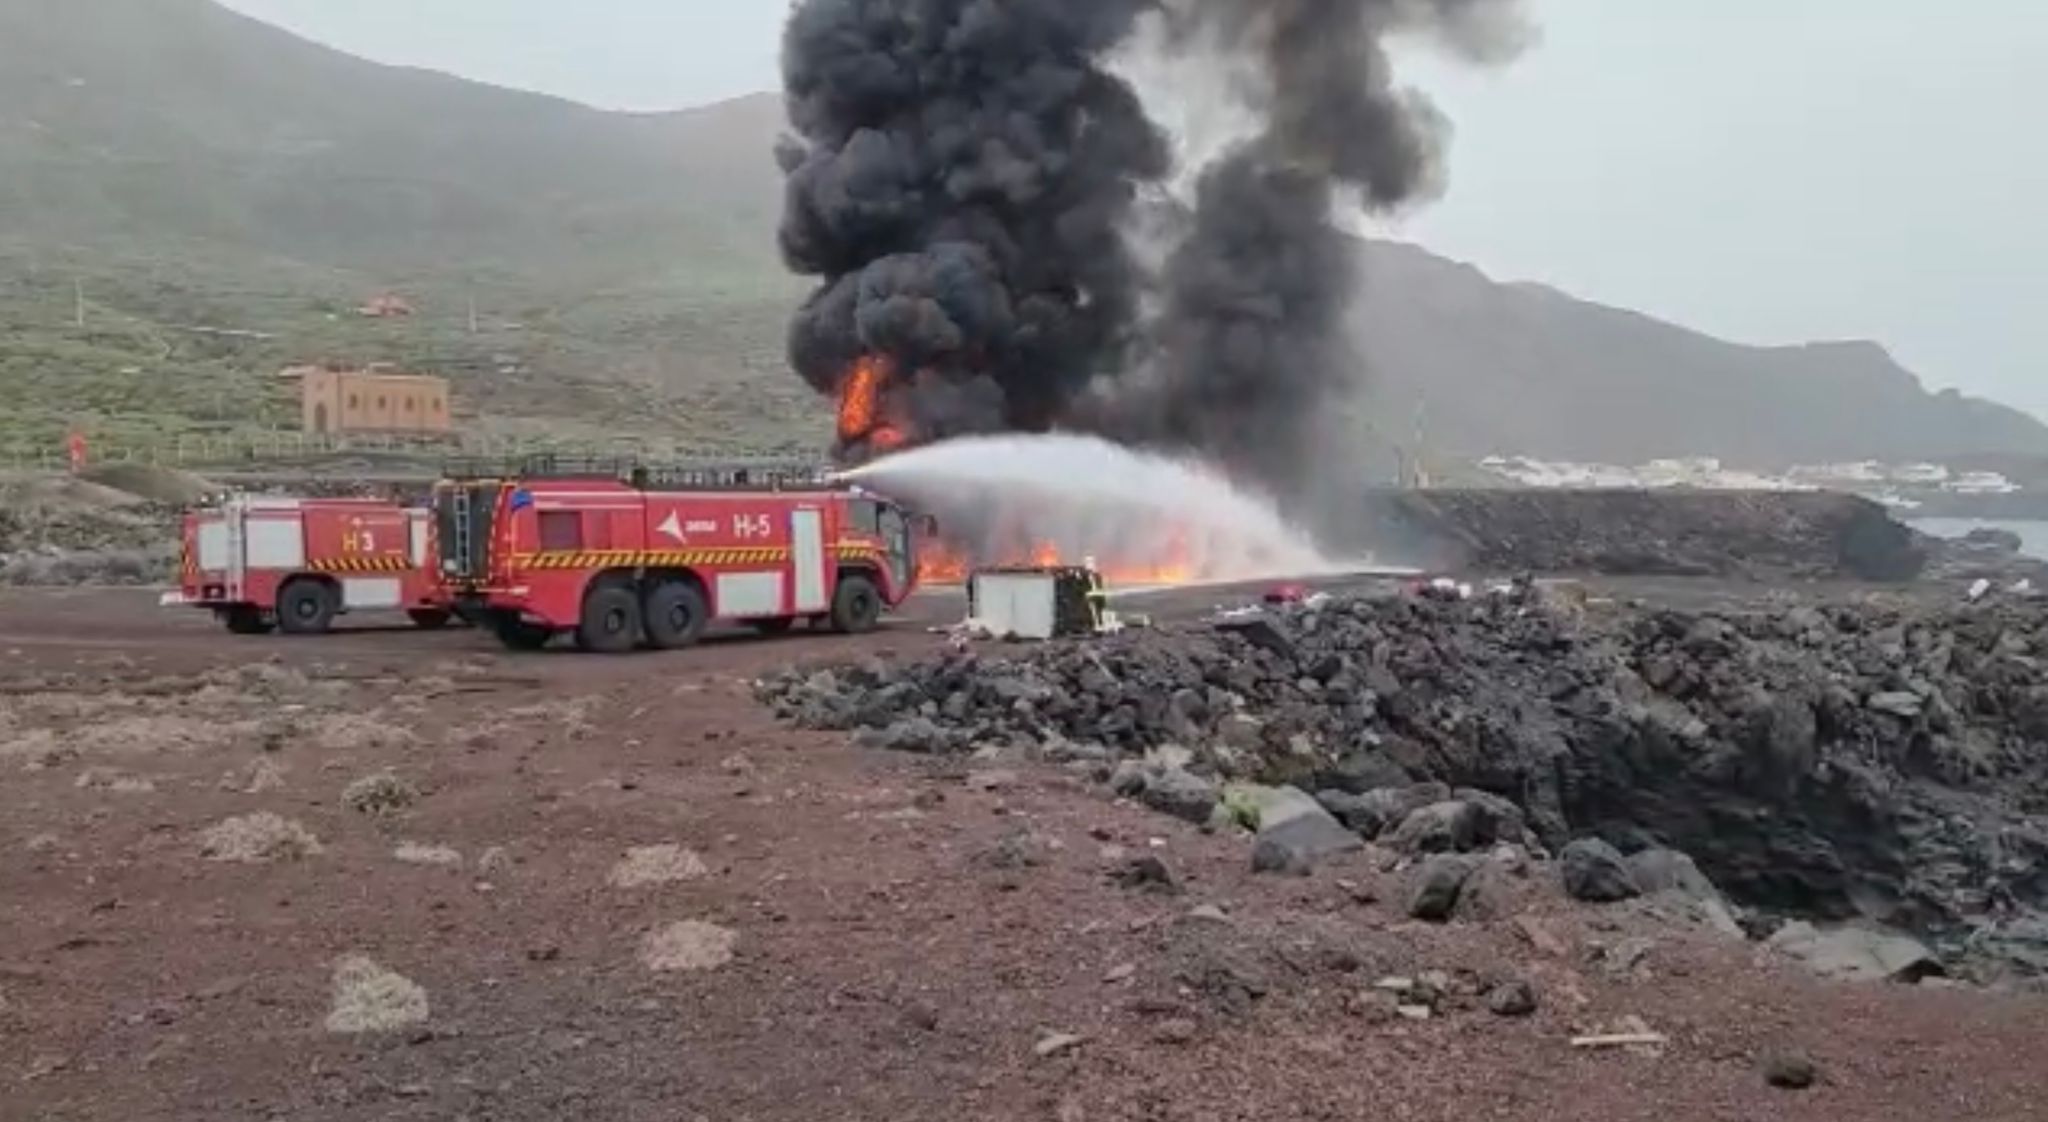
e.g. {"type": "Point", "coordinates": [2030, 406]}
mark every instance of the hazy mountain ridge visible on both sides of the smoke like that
{"type": "Point", "coordinates": [194, 165]}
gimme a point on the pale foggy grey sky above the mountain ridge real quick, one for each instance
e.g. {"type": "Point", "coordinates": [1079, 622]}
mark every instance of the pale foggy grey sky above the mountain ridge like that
{"type": "Point", "coordinates": [1752, 169]}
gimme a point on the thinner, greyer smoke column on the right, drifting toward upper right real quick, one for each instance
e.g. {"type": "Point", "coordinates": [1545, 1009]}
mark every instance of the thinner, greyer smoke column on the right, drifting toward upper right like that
{"type": "Point", "coordinates": [1254, 345]}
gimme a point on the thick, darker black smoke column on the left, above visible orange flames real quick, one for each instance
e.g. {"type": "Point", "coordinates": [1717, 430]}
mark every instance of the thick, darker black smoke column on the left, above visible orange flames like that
{"type": "Point", "coordinates": [959, 177]}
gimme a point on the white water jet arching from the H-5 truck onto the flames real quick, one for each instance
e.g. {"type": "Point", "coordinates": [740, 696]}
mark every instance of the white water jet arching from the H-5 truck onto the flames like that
{"type": "Point", "coordinates": [1000, 499]}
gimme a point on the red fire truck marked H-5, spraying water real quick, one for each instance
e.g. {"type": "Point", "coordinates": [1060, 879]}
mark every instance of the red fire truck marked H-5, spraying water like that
{"type": "Point", "coordinates": [624, 554]}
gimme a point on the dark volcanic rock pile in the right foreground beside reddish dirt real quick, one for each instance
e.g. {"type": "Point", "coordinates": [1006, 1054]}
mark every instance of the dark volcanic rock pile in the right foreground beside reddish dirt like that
{"type": "Point", "coordinates": [1857, 761]}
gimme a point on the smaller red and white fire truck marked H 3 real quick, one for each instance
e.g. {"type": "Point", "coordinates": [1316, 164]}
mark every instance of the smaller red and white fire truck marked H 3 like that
{"type": "Point", "coordinates": [290, 564]}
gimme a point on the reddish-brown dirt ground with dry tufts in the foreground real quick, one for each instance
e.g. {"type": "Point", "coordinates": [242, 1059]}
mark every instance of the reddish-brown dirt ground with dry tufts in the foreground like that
{"type": "Point", "coordinates": [398, 875]}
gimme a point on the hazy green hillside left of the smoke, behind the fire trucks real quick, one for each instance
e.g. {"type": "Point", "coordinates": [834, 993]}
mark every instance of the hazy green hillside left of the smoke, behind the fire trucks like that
{"type": "Point", "coordinates": [191, 171]}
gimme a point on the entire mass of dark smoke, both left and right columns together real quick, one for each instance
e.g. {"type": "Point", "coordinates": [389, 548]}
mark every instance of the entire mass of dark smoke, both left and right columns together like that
{"type": "Point", "coordinates": [966, 175]}
